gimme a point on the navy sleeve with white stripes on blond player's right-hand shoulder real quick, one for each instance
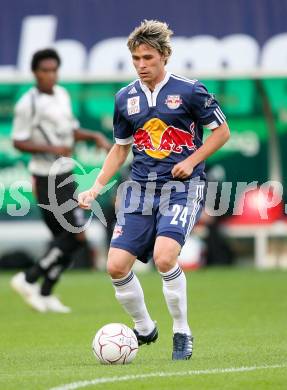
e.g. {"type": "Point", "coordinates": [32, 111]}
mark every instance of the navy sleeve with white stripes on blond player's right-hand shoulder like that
{"type": "Point", "coordinates": [205, 108]}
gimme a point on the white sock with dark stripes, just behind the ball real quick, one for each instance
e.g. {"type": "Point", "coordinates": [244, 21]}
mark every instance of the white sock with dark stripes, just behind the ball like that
{"type": "Point", "coordinates": [130, 295]}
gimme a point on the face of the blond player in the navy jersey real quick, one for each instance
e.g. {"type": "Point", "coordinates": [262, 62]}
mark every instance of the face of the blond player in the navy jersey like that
{"type": "Point", "coordinates": [149, 64]}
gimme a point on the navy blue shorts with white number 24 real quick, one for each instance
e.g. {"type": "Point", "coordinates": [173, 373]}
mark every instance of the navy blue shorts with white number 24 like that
{"type": "Point", "coordinates": [136, 232]}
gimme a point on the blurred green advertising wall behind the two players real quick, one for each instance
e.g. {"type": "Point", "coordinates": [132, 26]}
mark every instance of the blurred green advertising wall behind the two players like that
{"type": "Point", "coordinates": [243, 158]}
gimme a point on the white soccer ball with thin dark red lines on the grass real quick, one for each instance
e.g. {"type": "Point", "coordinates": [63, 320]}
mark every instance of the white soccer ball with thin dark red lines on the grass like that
{"type": "Point", "coordinates": [115, 344]}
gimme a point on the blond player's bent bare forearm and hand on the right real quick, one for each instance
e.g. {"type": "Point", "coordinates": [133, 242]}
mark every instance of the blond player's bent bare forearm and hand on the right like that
{"type": "Point", "coordinates": [213, 142]}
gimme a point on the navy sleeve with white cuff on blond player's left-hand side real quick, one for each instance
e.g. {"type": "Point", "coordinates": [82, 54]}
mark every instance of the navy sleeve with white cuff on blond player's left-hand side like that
{"type": "Point", "coordinates": [123, 133]}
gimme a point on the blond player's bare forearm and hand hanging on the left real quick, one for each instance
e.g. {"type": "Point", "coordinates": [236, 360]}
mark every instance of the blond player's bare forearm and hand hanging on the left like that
{"type": "Point", "coordinates": [114, 160]}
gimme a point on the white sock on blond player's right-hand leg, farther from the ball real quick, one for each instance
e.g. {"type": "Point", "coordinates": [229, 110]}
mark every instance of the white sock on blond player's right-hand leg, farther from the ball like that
{"type": "Point", "coordinates": [174, 290]}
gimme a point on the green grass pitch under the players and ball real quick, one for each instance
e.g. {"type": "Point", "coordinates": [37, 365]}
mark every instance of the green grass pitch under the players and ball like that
{"type": "Point", "coordinates": [238, 317]}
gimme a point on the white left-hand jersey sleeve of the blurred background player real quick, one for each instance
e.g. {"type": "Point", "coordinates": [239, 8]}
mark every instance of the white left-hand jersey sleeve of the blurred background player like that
{"type": "Point", "coordinates": [22, 122]}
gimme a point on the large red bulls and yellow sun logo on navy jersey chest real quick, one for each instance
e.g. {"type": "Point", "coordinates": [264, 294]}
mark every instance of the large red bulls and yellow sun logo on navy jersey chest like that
{"type": "Point", "coordinates": [159, 140]}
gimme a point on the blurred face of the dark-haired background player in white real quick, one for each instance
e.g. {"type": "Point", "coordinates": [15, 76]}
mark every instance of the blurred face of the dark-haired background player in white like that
{"type": "Point", "coordinates": [47, 74]}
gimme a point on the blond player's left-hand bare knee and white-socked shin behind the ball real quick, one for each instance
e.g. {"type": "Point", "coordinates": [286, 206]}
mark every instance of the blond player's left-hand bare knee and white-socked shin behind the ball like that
{"type": "Point", "coordinates": [128, 290]}
